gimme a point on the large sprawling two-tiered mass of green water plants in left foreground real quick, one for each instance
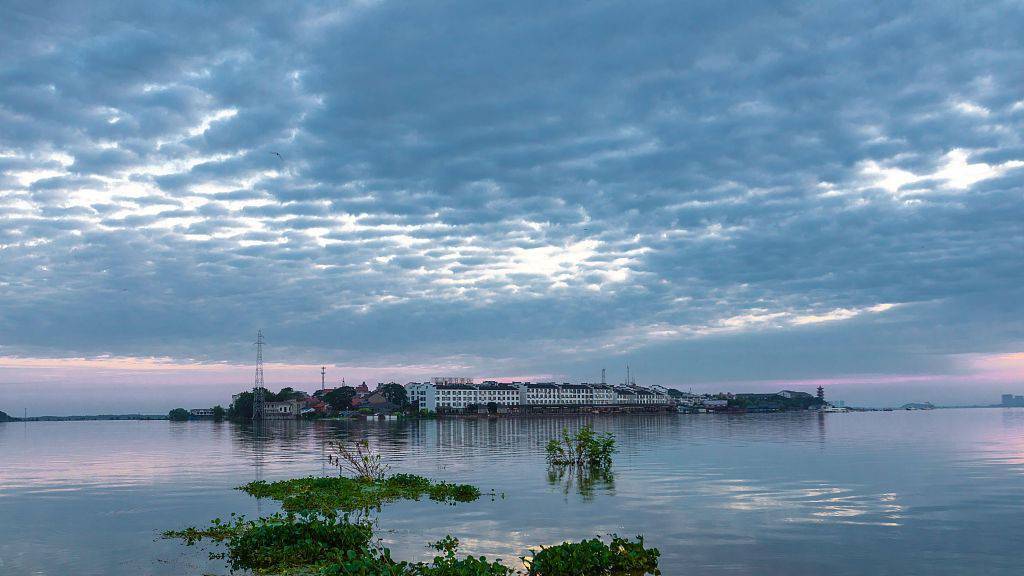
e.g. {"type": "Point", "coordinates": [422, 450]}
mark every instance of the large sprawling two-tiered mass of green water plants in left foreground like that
{"type": "Point", "coordinates": [312, 538]}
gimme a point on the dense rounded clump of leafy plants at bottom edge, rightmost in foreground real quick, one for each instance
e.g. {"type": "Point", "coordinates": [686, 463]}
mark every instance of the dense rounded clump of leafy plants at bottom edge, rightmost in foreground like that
{"type": "Point", "coordinates": [594, 558]}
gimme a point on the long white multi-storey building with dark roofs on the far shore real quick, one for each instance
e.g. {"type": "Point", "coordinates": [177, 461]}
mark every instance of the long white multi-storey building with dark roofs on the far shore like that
{"type": "Point", "coordinates": [458, 394]}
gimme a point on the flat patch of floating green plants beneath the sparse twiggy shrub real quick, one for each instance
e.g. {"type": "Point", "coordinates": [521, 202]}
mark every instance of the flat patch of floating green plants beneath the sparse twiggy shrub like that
{"type": "Point", "coordinates": [330, 496]}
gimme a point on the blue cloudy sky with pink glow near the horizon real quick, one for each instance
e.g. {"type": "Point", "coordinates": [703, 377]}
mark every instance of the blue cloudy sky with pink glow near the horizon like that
{"type": "Point", "coordinates": [722, 195]}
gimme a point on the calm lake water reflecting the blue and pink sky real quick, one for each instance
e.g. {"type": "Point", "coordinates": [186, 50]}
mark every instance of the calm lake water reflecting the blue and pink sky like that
{"type": "Point", "coordinates": [929, 493]}
